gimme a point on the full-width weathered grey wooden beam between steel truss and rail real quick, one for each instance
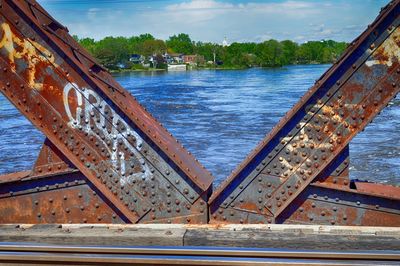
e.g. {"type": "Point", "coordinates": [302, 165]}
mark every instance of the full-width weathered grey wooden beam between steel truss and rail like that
{"type": "Point", "coordinates": [258, 236]}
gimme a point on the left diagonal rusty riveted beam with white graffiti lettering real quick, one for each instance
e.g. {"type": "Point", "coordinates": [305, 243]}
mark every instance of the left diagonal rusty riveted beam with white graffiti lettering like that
{"type": "Point", "coordinates": [93, 125]}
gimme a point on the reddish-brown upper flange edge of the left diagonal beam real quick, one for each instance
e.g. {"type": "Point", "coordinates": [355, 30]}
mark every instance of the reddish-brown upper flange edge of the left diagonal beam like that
{"type": "Point", "coordinates": [131, 107]}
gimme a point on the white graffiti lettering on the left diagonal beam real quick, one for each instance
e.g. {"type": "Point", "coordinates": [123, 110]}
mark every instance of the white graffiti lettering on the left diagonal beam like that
{"type": "Point", "coordinates": [83, 117]}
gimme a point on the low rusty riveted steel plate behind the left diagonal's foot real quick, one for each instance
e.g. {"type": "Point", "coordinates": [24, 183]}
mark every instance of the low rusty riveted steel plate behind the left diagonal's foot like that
{"type": "Point", "coordinates": [53, 199]}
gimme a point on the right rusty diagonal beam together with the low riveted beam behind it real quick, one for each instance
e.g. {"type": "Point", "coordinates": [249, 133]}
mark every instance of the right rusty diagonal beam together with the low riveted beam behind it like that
{"type": "Point", "coordinates": [311, 141]}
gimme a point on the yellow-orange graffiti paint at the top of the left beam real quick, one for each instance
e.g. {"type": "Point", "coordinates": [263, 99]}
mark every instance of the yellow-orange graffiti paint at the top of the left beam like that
{"type": "Point", "coordinates": [31, 52]}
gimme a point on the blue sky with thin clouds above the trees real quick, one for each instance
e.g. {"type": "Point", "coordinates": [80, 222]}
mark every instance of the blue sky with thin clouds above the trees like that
{"type": "Point", "coordinates": [212, 20]}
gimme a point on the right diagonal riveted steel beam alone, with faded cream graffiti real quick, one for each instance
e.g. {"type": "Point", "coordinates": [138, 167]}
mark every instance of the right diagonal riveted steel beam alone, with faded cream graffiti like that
{"type": "Point", "coordinates": [317, 130]}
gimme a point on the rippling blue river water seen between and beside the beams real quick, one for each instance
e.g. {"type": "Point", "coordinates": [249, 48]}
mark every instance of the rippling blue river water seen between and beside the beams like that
{"type": "Point", "coordinates": [220, 116]}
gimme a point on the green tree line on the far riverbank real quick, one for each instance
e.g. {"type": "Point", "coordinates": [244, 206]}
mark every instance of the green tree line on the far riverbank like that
{"type": "Point", "coordinates": [112, 51]}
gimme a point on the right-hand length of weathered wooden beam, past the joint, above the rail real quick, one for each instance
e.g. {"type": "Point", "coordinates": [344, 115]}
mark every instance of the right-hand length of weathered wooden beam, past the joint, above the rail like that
{"type": "Point", "coordinates": [296, 239]}
